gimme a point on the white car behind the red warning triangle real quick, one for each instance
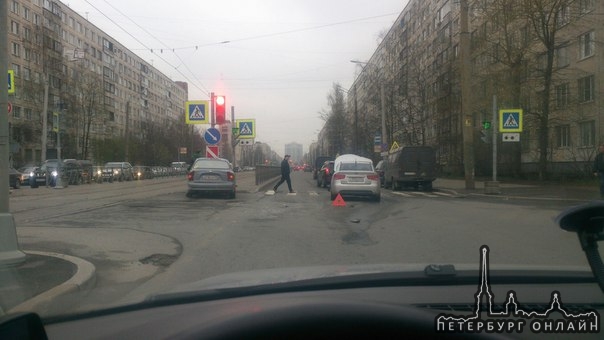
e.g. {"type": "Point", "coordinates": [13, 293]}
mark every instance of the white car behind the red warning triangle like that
{"type": "Point", "coordinates": [355, 176]}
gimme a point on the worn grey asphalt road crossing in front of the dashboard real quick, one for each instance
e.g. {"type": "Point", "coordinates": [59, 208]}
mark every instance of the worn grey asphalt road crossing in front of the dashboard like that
{"type": "Point", "coordinates": [147, 237]}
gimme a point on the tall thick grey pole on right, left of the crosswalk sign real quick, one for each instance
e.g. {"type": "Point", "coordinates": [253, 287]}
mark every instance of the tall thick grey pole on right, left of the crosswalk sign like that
{"type": "Point", "coordinates": [467, 119]}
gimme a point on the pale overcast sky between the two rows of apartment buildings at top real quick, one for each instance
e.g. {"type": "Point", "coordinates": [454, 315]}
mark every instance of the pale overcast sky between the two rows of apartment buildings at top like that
{"type": "Point", "coordinates": [275, 60]}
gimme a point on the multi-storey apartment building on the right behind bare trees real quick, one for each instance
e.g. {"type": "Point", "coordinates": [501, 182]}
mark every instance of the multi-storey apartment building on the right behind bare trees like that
{"type": "Point", "coordinates": [417, 67]}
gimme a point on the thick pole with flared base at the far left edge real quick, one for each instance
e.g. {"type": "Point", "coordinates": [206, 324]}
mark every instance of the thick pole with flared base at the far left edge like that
{"type": "Point", "coordinates": [9, 247]}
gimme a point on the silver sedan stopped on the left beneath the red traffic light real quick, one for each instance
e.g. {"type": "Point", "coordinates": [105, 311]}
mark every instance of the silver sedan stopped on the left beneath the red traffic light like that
{"type": "Point", "coordinates": [209, 175]}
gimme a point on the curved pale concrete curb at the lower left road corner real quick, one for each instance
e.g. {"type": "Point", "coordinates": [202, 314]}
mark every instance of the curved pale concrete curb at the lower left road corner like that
{"type": "Point", "coordinates": [85, 275]}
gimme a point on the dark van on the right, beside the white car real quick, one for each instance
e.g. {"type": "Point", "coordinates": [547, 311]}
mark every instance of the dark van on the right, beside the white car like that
{"type": "Point", "coordinates": [411, 166]}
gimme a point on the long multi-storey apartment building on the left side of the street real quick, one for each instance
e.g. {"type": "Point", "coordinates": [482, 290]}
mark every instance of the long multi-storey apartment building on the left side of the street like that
{"type": "Point", "coordinates": [97, 89]}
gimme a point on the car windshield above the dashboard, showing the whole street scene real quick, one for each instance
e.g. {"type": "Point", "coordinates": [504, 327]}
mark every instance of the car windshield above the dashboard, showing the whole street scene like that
{"type": "Point", "coordinates": [481, 142]}
